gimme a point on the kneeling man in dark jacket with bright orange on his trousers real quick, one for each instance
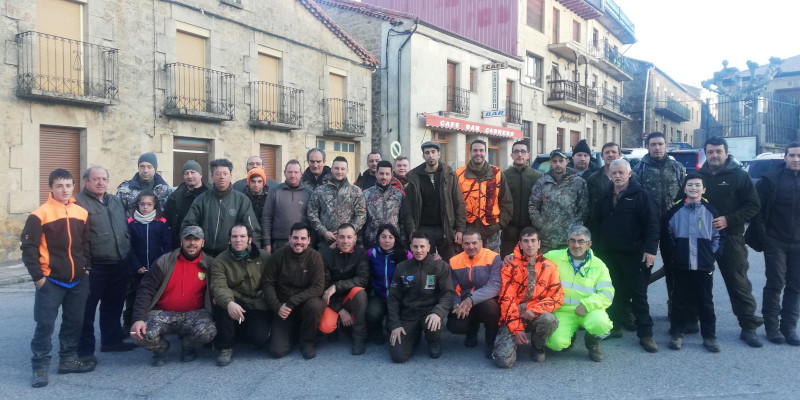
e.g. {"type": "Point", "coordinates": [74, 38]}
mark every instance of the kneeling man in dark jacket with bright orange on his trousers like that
{"type": "Point", "coordinates": [346, 275]}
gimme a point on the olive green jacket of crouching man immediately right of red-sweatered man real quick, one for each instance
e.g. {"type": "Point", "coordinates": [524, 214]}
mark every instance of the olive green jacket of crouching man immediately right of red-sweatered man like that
{"type": "Point", "coordinates": [239, 280]}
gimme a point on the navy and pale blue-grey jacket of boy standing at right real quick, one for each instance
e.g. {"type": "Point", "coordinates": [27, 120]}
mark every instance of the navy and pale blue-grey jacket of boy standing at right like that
{"type": "Point", "coordinates": [692, 243]}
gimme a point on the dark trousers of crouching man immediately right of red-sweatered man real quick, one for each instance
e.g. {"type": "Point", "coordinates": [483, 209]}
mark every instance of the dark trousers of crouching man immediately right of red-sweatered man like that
{"type": "Point", "coordinates": [255, 326]}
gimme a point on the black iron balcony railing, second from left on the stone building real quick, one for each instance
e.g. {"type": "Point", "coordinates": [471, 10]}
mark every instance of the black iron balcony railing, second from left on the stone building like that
{"type": "Point", "coordinates": [202, 93]}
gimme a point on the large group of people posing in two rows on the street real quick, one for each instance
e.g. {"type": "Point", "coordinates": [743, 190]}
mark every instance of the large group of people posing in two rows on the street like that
{"type": "Point", "coordinates": [404, 253]}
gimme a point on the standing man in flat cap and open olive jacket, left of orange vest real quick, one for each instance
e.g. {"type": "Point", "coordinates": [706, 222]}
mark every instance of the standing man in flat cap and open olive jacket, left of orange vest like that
{"type": "Point", "coordinates": [443, 217]}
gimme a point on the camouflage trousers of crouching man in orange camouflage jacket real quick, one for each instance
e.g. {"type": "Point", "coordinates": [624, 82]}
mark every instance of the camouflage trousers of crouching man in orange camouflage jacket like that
{"type": "Point", "coordinates": [505, 349]}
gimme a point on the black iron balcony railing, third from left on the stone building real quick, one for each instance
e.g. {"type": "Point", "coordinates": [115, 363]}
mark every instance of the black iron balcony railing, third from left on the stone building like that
{"type": "Point", "coordinates": [272, 104]}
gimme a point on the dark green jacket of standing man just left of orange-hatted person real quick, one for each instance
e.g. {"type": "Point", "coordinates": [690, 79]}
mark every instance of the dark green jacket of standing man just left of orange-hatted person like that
{"type": "Point", "coordinates": [217, 216]}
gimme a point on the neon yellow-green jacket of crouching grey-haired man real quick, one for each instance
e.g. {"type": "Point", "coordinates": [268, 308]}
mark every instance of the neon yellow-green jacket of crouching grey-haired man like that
{"type": "Point", "coordinates": [592, 287]}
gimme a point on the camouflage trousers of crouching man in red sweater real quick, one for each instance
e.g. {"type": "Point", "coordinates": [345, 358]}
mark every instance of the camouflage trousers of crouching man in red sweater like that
{"type": "Point", "coordinates": [195, 328]}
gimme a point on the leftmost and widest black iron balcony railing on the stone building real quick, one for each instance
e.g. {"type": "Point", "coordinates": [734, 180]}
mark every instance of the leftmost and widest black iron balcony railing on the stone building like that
{"type": "Point", "coordinates": [70, 70]}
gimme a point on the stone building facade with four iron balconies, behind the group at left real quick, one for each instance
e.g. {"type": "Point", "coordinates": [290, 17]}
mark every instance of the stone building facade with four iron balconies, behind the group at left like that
{"type": "Point", "coordinates": [99, 82]}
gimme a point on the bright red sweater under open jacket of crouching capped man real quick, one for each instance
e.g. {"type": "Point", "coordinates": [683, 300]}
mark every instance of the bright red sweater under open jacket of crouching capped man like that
{"type": "Point", "coordinates": [186, 288]}
